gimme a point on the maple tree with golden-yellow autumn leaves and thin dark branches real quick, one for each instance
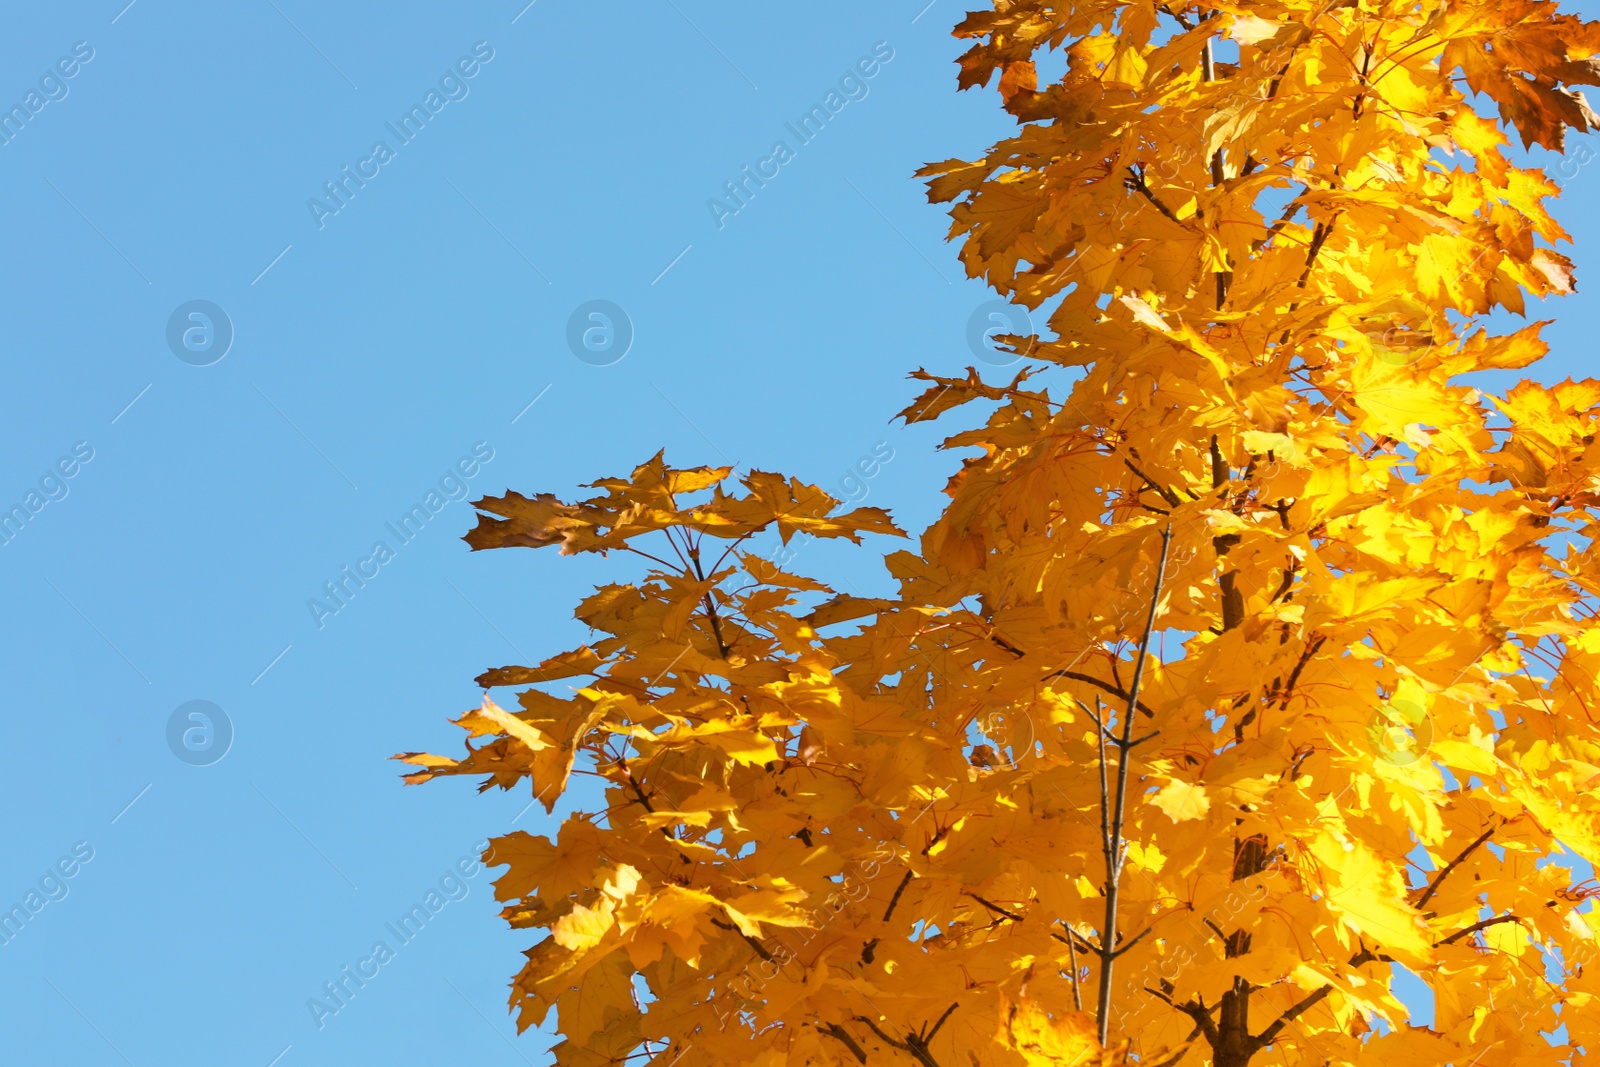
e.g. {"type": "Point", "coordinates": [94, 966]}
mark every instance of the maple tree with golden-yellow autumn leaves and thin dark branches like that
{"type": "Point", "coordinates": [1249, 669]}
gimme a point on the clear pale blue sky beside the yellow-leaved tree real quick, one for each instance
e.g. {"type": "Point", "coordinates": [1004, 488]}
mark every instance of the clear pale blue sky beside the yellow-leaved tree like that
{"type": "Point", "coordinates": [244, 343]}
